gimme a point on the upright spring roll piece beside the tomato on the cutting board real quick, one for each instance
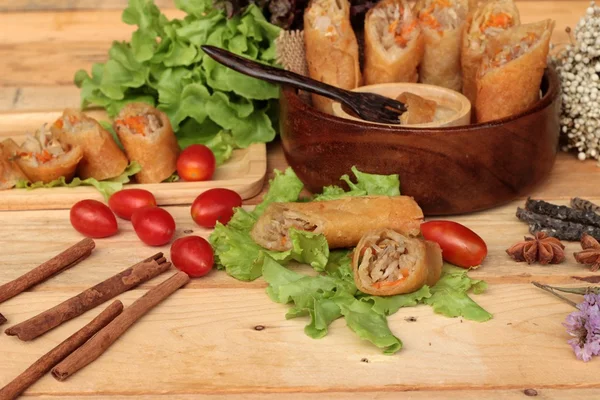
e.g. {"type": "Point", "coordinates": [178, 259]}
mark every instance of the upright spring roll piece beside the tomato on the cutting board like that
{"type": "Point", "coordinates": [148, 138]}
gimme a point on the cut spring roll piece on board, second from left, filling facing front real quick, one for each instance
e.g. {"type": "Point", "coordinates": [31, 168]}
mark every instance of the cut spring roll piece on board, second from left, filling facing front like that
{"type": "Point", "coordinates": [44, 159]}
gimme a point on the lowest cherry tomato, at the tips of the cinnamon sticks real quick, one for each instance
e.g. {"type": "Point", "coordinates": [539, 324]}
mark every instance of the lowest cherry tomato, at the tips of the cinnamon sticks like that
{"type": "Point", "coordinates": [192, 255]}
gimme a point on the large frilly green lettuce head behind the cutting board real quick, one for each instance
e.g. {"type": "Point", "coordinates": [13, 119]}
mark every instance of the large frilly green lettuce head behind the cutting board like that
{"type": "Point", "coordinates": [163, 64]}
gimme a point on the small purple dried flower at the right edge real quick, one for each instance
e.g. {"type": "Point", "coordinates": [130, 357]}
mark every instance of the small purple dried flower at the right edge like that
{"type": "Point", "coordinates": [584, 326]}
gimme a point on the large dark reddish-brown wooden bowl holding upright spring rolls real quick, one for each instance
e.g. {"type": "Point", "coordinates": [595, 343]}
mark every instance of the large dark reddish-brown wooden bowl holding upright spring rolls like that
{"type": "Point", "coordinates": [448, 170]}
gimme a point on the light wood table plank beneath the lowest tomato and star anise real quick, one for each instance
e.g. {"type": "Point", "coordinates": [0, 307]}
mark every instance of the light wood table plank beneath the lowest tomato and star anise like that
{"type": "Point", "coordinates": [24, 240]}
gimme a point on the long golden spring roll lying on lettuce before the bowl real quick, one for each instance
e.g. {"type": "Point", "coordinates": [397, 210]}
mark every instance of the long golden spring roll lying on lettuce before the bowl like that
{"type": "Point", "coordinates": [343, 221]}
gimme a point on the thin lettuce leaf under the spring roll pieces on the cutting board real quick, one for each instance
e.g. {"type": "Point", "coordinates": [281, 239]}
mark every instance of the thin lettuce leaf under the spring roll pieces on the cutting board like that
{"type": "Point", "coordinates": [106, 187]}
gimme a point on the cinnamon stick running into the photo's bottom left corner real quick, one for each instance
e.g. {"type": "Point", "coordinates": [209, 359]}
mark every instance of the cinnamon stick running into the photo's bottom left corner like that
{"type": "Point", "coordinates": [59, 353]}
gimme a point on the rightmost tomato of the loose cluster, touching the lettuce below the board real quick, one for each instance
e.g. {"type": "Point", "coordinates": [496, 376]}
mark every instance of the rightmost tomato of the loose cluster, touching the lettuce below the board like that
{"type": "Point", "coordinates": [215, 205]}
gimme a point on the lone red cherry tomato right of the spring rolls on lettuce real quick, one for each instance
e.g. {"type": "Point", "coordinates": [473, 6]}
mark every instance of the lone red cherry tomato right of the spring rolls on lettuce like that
{"type": "Point", "coordinates": [460, 245]}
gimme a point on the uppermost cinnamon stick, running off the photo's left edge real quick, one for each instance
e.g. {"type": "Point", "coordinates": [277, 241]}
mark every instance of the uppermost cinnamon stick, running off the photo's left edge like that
{"type": "Point", "coordinates": [59, 263]}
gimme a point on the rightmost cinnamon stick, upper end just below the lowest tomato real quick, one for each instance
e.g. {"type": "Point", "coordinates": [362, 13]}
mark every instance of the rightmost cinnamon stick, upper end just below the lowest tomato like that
{"type": "Point", "coordinates": [97, 345]}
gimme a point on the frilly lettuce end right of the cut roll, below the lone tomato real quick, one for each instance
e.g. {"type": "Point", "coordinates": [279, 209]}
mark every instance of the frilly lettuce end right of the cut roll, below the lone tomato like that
{"type": "Point", "coordinates": [449, 296]}
